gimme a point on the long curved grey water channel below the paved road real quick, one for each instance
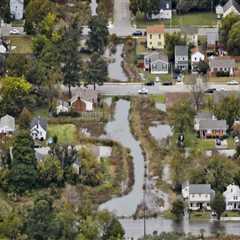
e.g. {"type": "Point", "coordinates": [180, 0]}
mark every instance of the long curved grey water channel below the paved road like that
{"type": "Point", "coordinates": [119, 130]}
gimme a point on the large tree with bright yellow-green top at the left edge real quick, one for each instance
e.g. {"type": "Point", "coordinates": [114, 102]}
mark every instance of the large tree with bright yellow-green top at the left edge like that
{"type": "Point", "coordinates": [15, 92]}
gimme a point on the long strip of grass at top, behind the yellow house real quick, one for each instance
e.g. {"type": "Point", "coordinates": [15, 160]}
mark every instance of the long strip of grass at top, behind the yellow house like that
{"type": "Point", "coordinates": [194, 19]}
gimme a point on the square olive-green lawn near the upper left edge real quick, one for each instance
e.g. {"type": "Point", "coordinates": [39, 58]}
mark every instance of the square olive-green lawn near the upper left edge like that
{"type": "Point", "coordinates": [23, 44]}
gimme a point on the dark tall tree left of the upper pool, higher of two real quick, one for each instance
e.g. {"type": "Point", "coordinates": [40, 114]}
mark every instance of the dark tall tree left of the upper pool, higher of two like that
{"type": "Point", "coordinates": [98, 35]}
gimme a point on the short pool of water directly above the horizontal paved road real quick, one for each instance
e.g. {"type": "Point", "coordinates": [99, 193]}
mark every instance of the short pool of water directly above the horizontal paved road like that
{"type": "Point", "coordinates": [115, 69]}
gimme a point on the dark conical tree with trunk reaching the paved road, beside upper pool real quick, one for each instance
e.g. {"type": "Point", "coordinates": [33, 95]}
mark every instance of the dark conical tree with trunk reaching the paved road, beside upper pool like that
{"type": "Point", "coordinates": [97, 71]}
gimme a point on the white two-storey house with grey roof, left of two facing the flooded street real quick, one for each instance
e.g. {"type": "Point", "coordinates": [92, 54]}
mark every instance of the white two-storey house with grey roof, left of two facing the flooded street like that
{"type": "Point", "coordinates": [198, 196]}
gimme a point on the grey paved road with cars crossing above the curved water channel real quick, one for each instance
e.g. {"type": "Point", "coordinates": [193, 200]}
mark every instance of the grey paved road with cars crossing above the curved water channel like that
{"type": "Point", "coordinates": [121, 89]}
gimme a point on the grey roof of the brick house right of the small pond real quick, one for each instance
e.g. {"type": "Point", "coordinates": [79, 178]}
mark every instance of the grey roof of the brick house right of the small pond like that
{"type": "Point", "coordinates": [213, 124]}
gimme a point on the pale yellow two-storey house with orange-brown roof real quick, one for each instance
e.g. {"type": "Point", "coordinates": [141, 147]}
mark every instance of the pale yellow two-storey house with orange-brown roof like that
{"type": "Point", "coordinates": [155, 37]}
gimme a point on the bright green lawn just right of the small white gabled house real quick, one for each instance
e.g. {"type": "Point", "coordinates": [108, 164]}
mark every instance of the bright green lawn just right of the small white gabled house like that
{"type": "Point", "coordinates": [66, 133]}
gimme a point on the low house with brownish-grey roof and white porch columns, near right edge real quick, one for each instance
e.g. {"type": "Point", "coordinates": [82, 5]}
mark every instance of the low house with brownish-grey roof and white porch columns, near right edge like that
{"type": "Point", "coordinates": [225, 65]}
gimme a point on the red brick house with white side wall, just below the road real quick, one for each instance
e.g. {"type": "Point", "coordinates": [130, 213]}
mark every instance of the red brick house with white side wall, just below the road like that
{"type": "Point", "coordinates": [84, 101]}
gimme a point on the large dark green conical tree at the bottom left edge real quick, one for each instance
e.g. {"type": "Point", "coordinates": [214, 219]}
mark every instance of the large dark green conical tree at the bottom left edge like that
{"type": "Point", "coordinates": [41, 222]}
